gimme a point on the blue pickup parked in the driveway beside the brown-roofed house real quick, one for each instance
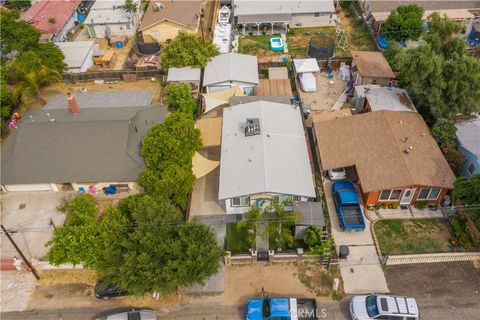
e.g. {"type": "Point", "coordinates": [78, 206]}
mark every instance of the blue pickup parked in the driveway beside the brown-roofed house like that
{"type": "Point", "coordinates": [348, 206]}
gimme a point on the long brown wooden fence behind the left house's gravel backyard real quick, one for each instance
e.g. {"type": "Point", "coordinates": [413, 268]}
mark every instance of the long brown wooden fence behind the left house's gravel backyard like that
{"type": "Point", "coordinates": [112, 75]}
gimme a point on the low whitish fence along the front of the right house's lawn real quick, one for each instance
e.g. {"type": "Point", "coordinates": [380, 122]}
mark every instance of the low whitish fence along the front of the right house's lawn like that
{"type": "Point", "coordinates": [432, 258]}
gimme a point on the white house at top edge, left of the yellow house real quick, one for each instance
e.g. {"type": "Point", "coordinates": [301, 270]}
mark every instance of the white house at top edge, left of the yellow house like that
{"type": "Point", "coordinates": [108, 18]}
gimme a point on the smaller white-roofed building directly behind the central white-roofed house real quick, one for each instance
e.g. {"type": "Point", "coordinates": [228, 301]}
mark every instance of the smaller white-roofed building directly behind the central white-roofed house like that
{"type": "Point", "coordinates": [229, 70]}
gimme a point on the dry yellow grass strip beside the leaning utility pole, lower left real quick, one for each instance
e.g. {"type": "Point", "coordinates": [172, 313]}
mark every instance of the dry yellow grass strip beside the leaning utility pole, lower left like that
{"type": "Point", "coordinates": [61, 277]}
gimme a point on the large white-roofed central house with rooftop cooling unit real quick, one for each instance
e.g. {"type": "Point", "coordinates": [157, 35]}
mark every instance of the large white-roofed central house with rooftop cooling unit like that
{"type": "Point", "coordinates": [263, 156]}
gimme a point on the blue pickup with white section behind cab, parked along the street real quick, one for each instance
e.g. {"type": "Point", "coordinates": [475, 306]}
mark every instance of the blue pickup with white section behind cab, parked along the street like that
{"type": "Point", "coordinates": [281, 308]}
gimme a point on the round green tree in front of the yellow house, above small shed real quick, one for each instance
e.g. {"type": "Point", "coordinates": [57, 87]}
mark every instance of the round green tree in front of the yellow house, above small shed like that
{"type": "Point", "coordinates": [187, 50]}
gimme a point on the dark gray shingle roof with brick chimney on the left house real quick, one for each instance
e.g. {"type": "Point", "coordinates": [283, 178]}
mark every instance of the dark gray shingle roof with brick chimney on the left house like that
{"type": "Point", "coordinates": [98, 145]}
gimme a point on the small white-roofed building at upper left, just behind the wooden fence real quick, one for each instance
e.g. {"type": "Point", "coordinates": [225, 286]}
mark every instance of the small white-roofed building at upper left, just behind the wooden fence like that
{"type": "Point", "coordinates": [78, 55]}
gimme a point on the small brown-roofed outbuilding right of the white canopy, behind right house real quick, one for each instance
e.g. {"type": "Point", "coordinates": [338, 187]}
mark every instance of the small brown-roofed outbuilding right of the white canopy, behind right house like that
{"type": "Point", "coordinates": [370, 67]}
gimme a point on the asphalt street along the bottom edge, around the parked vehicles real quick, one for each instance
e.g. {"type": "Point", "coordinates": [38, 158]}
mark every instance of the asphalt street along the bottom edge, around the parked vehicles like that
{"type": "Point", "coordinates": [438, 309]}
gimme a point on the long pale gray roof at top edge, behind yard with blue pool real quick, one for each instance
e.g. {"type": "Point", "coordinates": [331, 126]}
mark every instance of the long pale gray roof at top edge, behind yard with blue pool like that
{"type": "Point", "coordinates": [247, 7]}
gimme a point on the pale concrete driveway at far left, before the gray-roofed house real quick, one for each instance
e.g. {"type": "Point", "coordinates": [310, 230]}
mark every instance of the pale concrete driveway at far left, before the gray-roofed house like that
{"type": "Point", "coordinates": [28, 215]}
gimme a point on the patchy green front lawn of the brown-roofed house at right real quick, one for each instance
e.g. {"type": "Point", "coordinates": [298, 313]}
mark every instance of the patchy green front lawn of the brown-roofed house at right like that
{"type": "Point", "coordinates": [413, 236]}
